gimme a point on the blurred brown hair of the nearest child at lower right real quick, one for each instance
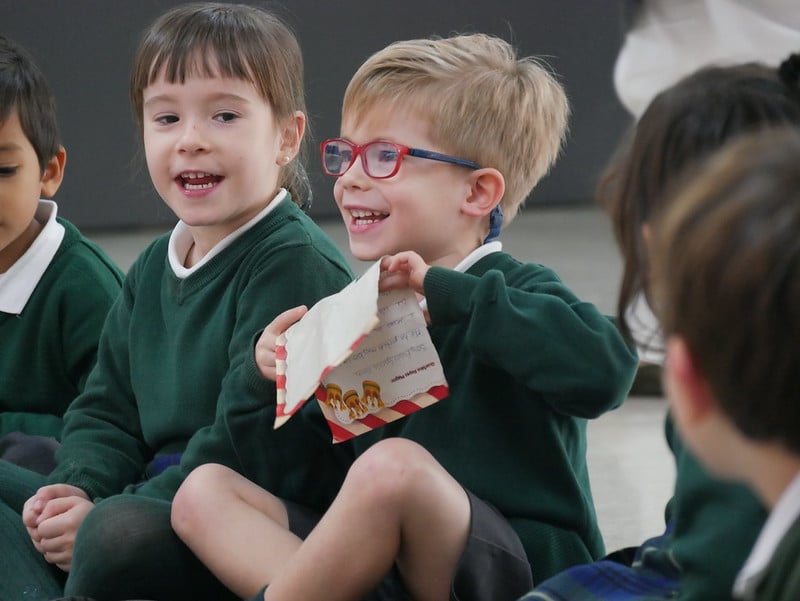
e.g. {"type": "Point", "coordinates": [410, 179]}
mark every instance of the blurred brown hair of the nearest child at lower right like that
{"type": "Point", "coordinates": [726, 269]}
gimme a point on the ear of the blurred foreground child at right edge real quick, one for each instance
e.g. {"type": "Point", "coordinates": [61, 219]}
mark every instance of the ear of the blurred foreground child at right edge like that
{"type": "Point", "coordinates": [689, 393]}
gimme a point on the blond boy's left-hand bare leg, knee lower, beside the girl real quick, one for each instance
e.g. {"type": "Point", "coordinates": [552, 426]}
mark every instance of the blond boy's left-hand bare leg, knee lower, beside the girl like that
{"type": "Point", "coordinates": [237, 529]}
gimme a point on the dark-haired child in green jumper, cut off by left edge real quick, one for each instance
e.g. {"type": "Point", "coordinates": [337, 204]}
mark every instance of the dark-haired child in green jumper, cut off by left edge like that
{"type": "Point", "coordinates": [56, 286]}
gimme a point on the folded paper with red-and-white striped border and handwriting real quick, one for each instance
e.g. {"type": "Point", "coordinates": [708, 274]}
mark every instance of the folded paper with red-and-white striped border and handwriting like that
{"type": "Point", "coordinates": [367, 356]}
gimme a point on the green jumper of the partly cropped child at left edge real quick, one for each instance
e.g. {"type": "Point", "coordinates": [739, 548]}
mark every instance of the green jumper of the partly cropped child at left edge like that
{"type": "Point", "coordinates": [47, 351]}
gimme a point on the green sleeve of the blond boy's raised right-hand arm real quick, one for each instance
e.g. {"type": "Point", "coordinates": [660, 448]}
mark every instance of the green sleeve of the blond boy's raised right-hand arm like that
{"type": "Point", "coordinates": [527, 323]}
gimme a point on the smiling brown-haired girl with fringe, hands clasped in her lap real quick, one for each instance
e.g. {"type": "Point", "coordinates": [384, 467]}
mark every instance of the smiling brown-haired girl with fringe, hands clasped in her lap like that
{"type": "Point", "coordinates": [217, 90]}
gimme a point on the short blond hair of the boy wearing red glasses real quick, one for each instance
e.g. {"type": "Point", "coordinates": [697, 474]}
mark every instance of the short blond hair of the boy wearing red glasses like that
{"type": "Point", "coordinates": [480, 101]}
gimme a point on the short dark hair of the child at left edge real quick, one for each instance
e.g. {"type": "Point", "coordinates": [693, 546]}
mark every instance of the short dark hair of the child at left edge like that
{"type": "Point", "coordinates": [24, 89]}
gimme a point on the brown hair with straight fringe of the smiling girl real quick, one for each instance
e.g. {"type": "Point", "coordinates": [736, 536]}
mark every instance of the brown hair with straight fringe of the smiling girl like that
{"type": "Point", "coordinates": [214, 39]}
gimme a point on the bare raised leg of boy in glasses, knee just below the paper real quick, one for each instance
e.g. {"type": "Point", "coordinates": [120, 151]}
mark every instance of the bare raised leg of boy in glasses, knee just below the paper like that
{"type": "Point", "coordinates": [396, 504]}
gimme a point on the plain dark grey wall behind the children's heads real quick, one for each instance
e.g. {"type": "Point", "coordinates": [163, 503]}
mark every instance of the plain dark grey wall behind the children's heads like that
{"type": "Point", "coordinates": [85, 48]}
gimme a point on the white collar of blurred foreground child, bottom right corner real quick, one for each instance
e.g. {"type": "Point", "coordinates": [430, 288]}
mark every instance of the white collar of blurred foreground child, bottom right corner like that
{"type": "Point", "coordinates": [780, 520]}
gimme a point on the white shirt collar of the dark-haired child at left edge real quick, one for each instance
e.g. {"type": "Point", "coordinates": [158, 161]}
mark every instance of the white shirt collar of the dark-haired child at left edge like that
{"type": "Point", "coordinates": [18, 283]}
